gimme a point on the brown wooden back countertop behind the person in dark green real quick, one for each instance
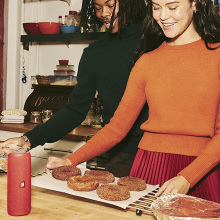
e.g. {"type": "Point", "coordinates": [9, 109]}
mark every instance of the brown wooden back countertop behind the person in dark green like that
{"type": "Point", "coordinates": [80, 133]}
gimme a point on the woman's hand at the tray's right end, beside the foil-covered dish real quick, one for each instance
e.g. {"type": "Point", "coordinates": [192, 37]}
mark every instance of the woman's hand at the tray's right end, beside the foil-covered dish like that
{"type": "Point", "coordinates": [177, 184]}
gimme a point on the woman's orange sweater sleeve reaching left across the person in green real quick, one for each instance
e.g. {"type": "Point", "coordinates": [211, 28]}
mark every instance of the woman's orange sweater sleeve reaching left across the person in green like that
{"type": "Point", "coordinates": [128, 110]}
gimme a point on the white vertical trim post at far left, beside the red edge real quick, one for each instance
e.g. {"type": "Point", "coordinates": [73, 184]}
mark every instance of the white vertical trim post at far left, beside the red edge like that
{"type": "Point", "coordinates": [11, 52]}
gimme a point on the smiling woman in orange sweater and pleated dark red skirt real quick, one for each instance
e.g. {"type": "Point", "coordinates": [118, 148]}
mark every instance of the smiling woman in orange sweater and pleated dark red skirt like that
{"type": "Point", "coordinates": [179, 77]}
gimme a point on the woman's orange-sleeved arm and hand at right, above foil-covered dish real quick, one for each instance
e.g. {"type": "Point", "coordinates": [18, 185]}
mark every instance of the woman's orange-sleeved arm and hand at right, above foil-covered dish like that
{"type": "Point", "coordinates": [206, 160]}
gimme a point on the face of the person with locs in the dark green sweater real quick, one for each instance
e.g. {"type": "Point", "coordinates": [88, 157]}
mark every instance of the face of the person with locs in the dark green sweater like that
{"type": "Point", "coordinates": [104, 10]}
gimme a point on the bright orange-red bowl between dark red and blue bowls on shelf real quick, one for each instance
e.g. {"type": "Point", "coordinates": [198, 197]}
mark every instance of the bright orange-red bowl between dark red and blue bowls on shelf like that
{"type": "Point", "coordinates": [49, 27]}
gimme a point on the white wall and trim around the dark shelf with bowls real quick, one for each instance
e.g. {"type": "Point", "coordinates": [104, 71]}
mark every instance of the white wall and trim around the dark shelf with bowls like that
{"type": "Point", "coordinates": [41, 58]}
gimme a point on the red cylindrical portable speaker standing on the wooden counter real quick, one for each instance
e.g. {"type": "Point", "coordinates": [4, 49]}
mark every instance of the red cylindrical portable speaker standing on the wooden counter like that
{"type": "Point", "coordinates": [19, 184]}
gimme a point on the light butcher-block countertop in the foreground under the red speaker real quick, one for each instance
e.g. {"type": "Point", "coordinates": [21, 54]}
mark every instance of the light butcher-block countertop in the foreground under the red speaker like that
{"type": "Point", "coordinates": [48, 205]}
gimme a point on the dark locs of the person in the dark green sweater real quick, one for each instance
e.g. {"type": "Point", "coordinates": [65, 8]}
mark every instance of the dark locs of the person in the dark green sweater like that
{"type": "Point", "coordinates": [129, 11]}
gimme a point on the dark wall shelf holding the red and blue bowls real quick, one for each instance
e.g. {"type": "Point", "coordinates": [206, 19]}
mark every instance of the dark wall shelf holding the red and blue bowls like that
{"type": "Point", "coordinates": [90, 36]}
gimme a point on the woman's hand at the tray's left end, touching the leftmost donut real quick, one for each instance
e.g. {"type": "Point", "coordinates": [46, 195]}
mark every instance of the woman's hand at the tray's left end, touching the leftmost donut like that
{"type": "Point", "coordinates": [54, 162]}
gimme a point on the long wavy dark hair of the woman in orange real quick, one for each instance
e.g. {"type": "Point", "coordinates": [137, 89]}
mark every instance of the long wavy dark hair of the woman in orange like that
{"type": "Point", "coordinates": [206, 21]}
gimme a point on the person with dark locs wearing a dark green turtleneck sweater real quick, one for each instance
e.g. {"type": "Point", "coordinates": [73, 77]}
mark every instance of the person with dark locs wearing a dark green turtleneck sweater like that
{"type": "Point", "coordinates": [104, 67]}
